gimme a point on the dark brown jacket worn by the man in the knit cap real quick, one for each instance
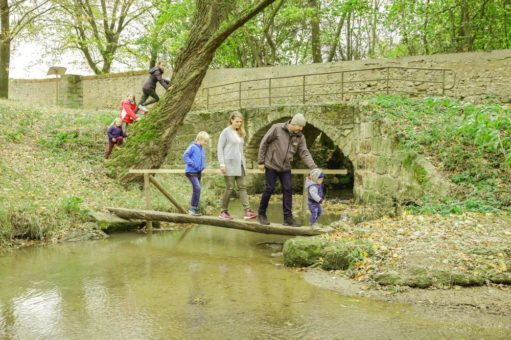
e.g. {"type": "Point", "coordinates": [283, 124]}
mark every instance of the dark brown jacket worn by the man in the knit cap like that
{"type": "Point", "coordinates": [279, 146]}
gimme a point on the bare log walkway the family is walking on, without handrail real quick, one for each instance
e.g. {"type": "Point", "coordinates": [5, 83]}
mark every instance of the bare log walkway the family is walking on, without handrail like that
{"type": "Point", "coordinates": [151, 215]}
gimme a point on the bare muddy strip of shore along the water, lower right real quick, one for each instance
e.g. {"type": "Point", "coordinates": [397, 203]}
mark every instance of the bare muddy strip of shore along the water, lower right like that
{"type": "Point", "coordinates": [487, 306]}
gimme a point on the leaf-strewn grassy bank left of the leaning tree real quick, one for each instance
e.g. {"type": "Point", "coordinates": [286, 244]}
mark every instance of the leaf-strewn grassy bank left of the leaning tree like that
{"type": "Point", "coordinates": [52, 172]}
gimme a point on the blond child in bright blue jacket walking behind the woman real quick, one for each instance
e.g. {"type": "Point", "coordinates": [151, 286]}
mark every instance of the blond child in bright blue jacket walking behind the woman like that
{"type": "Point", "coordinates": [195, 160]}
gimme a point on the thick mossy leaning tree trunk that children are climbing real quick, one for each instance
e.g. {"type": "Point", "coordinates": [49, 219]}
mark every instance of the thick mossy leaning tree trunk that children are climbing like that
{"type": "Point", "coordinates": [149, 142]}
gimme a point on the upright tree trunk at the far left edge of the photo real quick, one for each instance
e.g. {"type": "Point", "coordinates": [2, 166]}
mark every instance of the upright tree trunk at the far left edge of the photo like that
{"type": "Point", "coordinates": [5, 49]}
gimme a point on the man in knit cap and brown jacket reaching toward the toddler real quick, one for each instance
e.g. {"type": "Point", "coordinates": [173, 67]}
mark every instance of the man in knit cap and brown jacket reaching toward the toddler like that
{"type": "Point", "coordinates": [276, 153]}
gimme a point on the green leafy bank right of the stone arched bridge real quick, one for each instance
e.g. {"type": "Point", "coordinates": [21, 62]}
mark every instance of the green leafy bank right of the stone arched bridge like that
{"type": "Point", "coordinates": [470, 144]}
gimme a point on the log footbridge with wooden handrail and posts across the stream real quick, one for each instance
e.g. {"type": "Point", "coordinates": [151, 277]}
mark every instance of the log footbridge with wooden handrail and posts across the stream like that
{"type": "Point", "coordinates": [150, 215]}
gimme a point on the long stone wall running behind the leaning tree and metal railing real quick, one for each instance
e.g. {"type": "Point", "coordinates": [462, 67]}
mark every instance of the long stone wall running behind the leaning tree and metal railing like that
{"type": "Point", "coordinates": [475, 77]}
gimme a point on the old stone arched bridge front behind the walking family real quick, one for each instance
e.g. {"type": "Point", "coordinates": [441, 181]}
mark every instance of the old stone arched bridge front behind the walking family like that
{"type": "Point", "coordinates": [348, 136]}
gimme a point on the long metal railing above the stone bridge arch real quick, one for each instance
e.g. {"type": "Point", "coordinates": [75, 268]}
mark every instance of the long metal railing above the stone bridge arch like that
{"type": "Point", "coordinates": [328, 87]}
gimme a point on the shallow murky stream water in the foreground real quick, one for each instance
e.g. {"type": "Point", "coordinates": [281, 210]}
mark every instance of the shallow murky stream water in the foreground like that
{"type": "Point", "coordinates": [215, 283]}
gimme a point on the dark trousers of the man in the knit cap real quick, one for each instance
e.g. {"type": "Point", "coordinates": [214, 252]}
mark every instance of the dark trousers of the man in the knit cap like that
{"type": "Point", "coordinates": [287, 197]}
